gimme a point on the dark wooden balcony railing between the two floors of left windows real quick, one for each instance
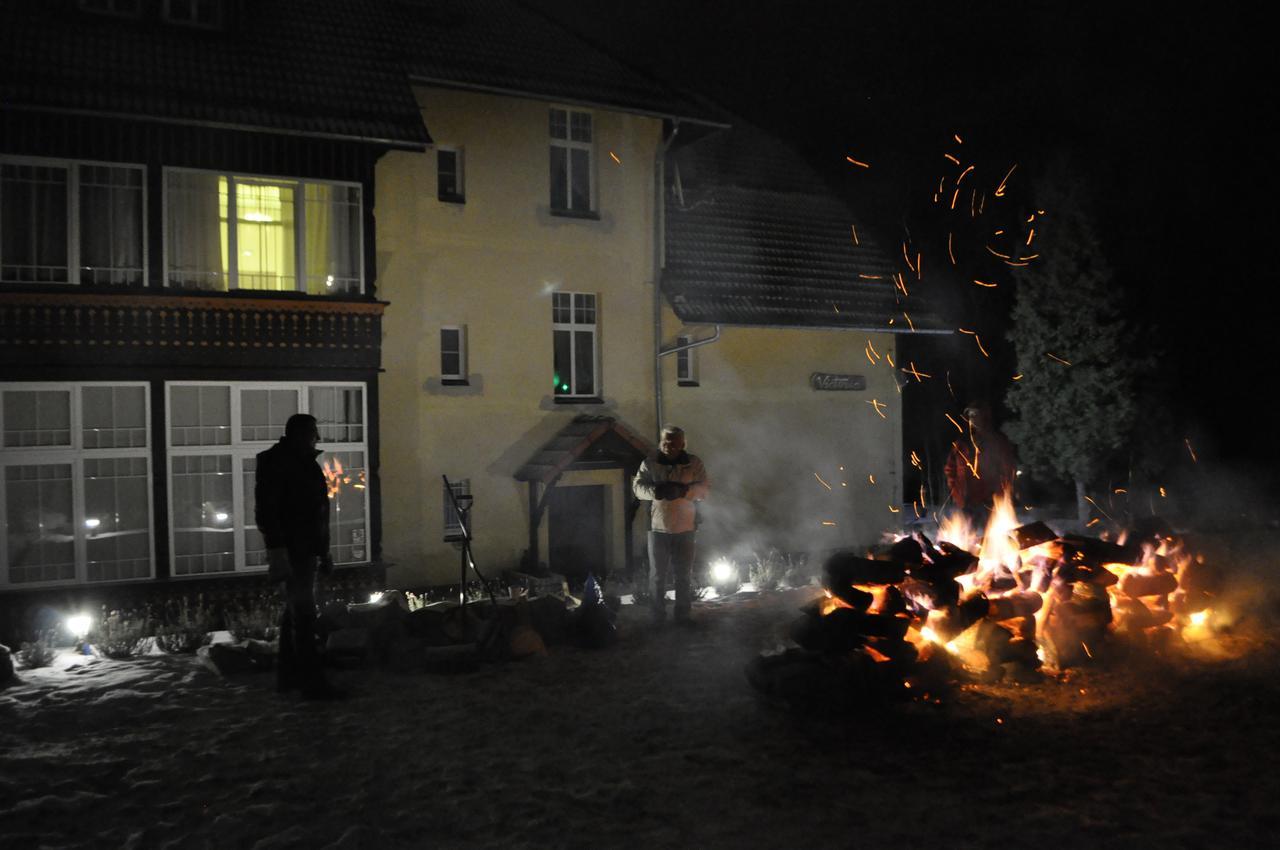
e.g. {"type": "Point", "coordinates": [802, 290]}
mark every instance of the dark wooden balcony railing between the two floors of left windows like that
{"type": "Point", "coordinates": [74, 328]}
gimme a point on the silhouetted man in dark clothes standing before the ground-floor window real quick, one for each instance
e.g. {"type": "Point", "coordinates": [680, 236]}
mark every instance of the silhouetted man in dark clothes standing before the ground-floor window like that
{"type": "Point", "coordinates": [292, 513]}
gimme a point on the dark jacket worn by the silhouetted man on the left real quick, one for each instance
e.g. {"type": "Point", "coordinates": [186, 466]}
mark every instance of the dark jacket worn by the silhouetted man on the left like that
{"type": "Point", "coordinates": [291, 500]}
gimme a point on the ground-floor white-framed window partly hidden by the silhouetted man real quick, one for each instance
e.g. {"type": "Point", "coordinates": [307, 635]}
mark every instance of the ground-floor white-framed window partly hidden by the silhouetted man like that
{"type": "Point", "coordinates": [216, 432]}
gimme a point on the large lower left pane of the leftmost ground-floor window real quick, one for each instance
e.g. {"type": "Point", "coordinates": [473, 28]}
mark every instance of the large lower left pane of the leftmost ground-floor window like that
{"type": "Point", "coordinates": [40, 538]}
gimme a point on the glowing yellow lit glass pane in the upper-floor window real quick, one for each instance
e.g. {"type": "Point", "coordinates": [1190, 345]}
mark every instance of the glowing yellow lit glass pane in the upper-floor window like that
{"type": "Point", "coordinates": [266, 240]}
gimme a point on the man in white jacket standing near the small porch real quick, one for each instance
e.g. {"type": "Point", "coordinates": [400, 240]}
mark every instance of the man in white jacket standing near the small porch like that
{"type": "Point", "coordinates": [674, 481]}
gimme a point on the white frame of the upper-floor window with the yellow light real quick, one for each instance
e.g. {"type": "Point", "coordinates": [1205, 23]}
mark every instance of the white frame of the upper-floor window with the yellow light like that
{"type": "Point", "coordinates": [300, 249]}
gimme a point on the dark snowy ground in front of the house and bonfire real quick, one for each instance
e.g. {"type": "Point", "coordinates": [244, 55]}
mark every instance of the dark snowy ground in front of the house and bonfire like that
{"type": "Point", "coordinates": [656, 743]}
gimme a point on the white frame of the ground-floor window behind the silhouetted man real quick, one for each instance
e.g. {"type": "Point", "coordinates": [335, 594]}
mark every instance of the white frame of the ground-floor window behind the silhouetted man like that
{"type": "Point", "coordinates": [241, 450]}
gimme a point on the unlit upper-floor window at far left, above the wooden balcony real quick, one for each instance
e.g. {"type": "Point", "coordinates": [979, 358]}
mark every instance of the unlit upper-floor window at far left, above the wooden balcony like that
{"type": "Point", "coordinates": [67, 222]}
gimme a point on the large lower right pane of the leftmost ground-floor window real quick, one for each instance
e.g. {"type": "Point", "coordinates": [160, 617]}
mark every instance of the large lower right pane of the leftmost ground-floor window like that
{"type": "Point", "coordinates": [117, 519]}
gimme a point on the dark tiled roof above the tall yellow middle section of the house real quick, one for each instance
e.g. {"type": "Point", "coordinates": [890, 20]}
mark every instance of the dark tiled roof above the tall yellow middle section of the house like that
{"type": "Point", "coordinates": [504, 47]}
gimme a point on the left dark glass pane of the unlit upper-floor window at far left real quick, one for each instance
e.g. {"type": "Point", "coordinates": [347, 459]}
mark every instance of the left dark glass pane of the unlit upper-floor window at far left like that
{"type": "Point", "coordinates": [34, 216]}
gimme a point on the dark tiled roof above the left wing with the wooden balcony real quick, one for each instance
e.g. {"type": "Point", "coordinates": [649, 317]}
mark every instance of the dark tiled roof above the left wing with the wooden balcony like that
{"type": "Point", "coordinates": [314, 67]}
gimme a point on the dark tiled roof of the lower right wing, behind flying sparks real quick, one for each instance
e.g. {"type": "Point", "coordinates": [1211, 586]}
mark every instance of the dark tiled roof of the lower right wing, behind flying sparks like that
{"type": "Point", "coordinates": [758, 239]}
